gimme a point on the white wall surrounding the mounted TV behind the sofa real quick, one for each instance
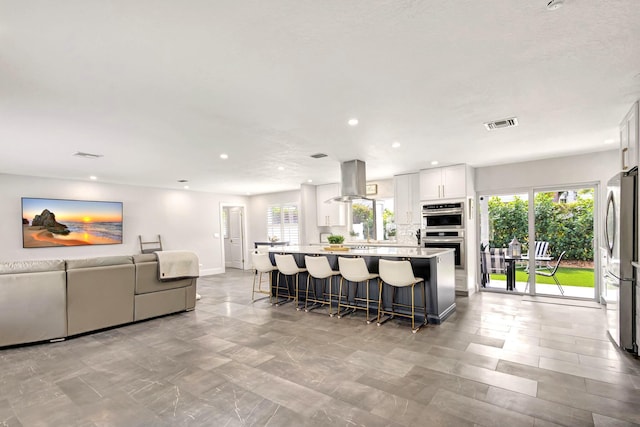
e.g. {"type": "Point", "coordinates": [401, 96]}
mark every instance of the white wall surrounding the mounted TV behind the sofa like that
{"type": "Point", "coordinates": [186, 220]}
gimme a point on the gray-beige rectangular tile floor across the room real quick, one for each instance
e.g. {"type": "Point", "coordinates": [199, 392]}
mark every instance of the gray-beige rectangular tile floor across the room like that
{"type": "Point", "coordinates": [498, 361]}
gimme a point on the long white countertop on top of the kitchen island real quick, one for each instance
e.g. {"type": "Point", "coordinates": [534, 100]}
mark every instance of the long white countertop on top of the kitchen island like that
{"type": "Point", "coordinates": [387, 251]}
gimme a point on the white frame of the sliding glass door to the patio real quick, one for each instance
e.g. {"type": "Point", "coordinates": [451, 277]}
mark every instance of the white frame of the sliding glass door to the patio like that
{"type": "Point", "coordinates": [531, 192]}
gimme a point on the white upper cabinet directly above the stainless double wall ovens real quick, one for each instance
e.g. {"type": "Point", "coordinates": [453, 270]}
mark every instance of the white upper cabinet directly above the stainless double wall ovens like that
{"type": "Point", "coordinates": [443, 183]}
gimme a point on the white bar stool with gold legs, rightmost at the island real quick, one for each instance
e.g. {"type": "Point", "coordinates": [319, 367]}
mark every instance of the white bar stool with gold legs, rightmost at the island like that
{"type": "Point", "coordinates": [399, 274]}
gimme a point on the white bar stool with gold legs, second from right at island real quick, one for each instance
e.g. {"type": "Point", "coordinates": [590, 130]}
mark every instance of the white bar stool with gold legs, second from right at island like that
{"type": "Point", "coordinates": [354, 270]}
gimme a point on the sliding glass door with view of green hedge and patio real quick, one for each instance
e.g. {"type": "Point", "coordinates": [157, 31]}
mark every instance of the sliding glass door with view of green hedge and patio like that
{"type": "Point", "coordinates": [558, 260]}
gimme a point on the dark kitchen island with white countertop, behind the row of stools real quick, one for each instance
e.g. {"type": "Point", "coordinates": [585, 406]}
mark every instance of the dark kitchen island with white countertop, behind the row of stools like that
{"type": "Point", "coordinates": [435, 265]}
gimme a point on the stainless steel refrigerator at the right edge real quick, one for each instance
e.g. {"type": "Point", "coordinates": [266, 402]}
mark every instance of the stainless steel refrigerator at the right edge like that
{"type": "Point", "coordinates": [620, 237]}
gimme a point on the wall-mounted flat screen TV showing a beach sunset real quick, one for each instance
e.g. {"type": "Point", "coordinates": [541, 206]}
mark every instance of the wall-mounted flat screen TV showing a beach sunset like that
{"type": "Point", "coordinates": [57, 222]}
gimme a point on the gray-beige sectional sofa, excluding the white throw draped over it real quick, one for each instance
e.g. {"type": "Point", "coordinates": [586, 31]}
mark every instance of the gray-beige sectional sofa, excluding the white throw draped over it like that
{"type": "Point", "coordinates": [55, 299]}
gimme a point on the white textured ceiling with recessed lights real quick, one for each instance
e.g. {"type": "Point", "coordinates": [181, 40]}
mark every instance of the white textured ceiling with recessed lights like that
{"type": "Point", "coordinates": [162, 88]}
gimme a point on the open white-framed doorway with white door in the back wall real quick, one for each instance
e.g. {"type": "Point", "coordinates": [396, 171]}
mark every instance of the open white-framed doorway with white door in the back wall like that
{"type": "Point", "coordinates": [233, 226]}
